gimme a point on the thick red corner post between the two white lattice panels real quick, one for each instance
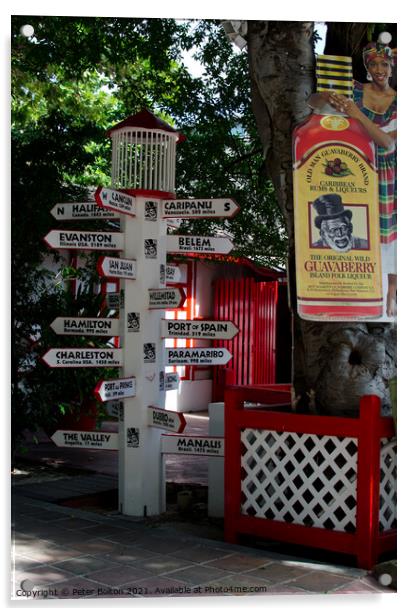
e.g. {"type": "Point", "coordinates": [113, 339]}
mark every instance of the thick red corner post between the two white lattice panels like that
{"type": "Point", "coordinates": [368, 486]}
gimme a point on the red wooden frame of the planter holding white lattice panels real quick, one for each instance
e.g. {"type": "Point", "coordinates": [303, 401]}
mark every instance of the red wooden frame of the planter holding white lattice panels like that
{"type": "Point", "coordinates": [366, 541]}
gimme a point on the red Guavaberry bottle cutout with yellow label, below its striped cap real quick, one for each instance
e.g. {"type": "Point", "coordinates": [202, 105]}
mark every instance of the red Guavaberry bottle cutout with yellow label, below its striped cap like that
{"type": "Point", "coordinates": [338, 258]}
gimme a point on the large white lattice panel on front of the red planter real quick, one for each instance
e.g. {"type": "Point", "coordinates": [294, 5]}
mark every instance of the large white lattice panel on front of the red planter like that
{"type": "Point", "coordinates": [299, 478]}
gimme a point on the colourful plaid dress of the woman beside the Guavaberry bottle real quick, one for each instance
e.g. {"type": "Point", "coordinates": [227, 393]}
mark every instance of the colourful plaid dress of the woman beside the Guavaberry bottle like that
{"type": "Point", "coordinates": [387, 166]}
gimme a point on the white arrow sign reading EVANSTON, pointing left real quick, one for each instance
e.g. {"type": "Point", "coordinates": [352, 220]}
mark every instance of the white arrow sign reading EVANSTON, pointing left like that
{"type": "Point", "coordinates": [84, 240]}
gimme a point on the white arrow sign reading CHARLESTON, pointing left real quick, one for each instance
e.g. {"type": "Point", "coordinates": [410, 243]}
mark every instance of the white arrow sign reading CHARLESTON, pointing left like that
{"type": "Point", "coordinates": [83, 358]}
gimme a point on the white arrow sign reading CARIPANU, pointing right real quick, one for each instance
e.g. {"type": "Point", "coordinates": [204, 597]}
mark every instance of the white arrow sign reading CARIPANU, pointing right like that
{"type": "Point", "coordinates": [199, 208]}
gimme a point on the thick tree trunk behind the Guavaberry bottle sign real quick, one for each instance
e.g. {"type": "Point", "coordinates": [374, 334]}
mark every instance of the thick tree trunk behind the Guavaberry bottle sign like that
{"type": "Point", "coordinates": [334, 363]}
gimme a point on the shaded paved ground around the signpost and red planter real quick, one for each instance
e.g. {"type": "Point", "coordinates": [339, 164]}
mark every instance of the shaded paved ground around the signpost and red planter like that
{"type": "Point", "coordinates": [61, 552]}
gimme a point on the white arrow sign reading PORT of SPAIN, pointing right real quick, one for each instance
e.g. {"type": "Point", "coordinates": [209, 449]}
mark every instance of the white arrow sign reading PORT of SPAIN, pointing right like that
{"type": "Point", "coordinates": [212, 330]}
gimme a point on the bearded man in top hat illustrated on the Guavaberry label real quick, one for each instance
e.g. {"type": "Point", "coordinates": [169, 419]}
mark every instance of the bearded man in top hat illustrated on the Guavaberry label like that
{"type": "Point", "coordinates": [335, 227]}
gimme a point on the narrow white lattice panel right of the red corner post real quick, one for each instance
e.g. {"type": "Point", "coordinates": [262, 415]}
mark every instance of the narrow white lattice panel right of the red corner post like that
{"type": "Point", "coordinates": [388, 485]}
